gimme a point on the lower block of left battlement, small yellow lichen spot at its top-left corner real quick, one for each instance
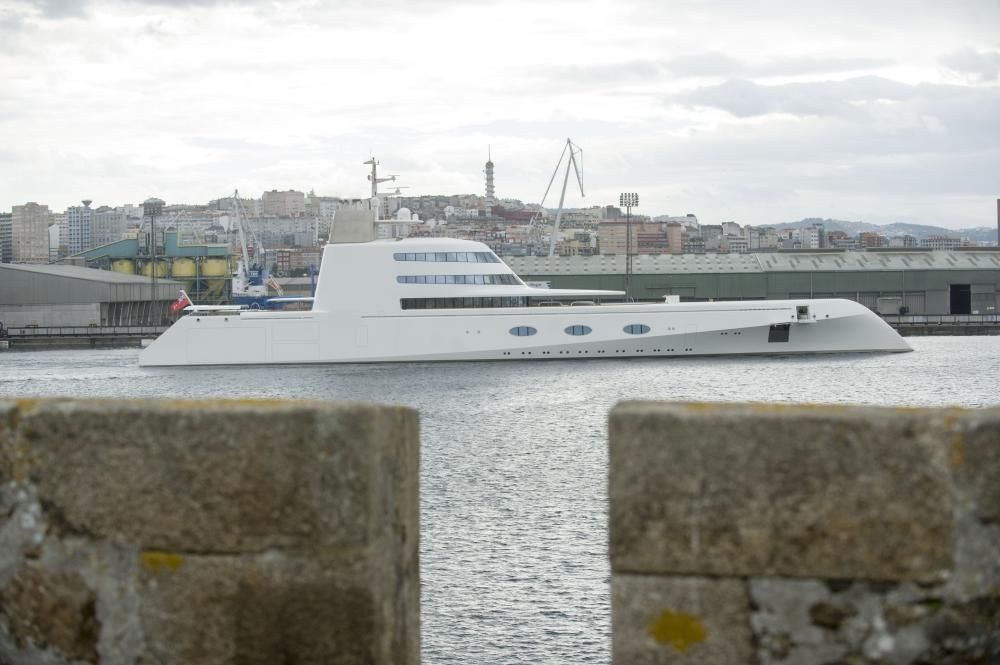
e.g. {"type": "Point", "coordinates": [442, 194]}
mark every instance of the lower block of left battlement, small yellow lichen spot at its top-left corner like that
{"type": "Point", "coordinates": [201, 610]}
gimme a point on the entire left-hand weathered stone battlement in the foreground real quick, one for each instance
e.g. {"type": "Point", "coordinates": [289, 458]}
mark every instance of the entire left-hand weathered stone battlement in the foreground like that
{"type": "Point", "coordinates": [220, 532]}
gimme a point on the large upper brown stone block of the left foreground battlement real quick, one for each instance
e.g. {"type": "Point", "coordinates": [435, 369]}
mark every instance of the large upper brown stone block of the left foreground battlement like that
{"type": "Point", "coordinates": [217, 478]}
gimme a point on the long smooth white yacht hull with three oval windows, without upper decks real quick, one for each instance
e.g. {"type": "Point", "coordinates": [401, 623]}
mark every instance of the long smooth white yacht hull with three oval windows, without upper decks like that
{"type": "Point", "coordinates": [665, 330]}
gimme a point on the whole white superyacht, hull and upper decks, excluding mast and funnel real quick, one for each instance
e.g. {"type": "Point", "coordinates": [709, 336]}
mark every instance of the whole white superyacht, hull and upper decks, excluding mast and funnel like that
{"type": "Point", "coordinates": [439, 299]}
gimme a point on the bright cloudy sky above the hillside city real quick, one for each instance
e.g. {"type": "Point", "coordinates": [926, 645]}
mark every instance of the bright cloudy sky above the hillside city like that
{"type": "Point", "coordinates": [758, 112]}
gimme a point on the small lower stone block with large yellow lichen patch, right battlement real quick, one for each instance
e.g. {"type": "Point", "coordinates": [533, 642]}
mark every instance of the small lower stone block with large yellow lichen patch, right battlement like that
{"type": "Point", "coordinates": [674, 620]}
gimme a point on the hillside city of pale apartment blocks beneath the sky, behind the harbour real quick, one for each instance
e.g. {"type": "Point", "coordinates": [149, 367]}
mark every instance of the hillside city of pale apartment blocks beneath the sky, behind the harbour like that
{"type": "Point", "coordinates": [292, 225]}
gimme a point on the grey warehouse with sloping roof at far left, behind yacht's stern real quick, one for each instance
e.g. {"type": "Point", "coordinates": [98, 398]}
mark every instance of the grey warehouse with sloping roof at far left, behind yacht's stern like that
{"type": "Point", "coordinates": [46, 296]}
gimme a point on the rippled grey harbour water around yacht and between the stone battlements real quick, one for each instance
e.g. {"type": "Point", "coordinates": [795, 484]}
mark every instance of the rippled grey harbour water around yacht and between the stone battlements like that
{"type": "Point", "coordinates": [513, 553]}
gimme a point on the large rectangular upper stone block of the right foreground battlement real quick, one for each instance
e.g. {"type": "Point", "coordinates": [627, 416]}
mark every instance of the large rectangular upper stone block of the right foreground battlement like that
{"type": "Point", "coordinates": [808, 491]}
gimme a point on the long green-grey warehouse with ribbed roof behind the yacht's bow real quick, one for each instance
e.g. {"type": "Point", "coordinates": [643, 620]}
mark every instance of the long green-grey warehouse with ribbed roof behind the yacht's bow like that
{"type": "Point", "coordinates": [915, 281]}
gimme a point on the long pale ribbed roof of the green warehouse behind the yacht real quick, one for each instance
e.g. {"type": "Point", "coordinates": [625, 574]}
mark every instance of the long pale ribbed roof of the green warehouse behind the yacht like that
{"type": "Point", "coordinates": [757, 263]}
